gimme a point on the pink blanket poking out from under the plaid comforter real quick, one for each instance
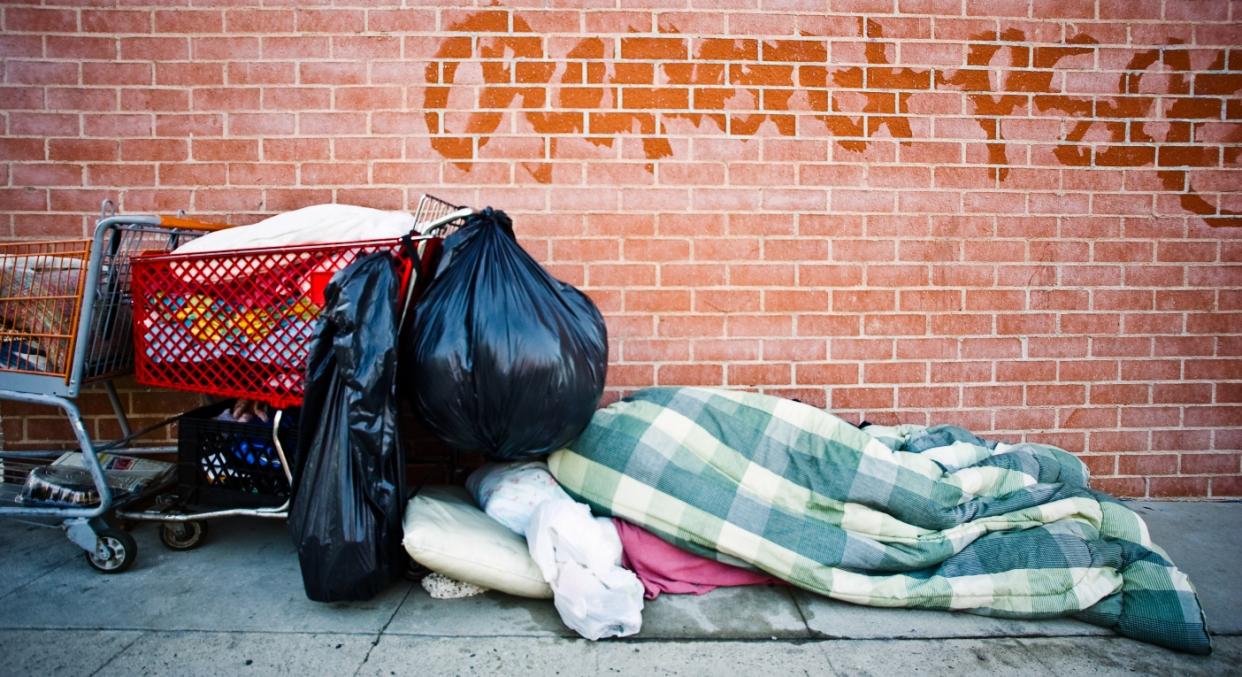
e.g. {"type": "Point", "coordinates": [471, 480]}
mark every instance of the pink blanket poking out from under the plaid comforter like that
{"type": "Point", "coordinates": [665, 568]}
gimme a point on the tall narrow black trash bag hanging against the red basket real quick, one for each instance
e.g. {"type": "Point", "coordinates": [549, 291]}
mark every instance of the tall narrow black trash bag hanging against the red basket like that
{"type": "Point", "coordinates": [350, 478]}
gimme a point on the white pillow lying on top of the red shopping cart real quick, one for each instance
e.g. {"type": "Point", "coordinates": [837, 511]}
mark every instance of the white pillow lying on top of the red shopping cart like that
{"type": "Point", "coordinates": [312, 225]}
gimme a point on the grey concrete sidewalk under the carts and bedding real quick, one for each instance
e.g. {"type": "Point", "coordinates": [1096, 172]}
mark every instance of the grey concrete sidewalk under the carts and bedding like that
{"type": "Point", "coordinates": [237, 607]}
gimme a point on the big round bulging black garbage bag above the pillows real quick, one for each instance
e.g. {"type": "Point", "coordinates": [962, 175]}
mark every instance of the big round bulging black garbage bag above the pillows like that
{"type": "Point", "coordinates": [505, 358]}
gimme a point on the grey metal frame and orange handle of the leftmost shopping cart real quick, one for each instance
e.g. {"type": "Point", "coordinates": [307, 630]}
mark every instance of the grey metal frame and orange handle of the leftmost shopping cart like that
{"type": "Point", "coordinates": [97, 348]}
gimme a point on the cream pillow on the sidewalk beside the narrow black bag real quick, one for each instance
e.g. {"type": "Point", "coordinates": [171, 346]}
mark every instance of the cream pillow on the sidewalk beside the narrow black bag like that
{"type": "Point", "coordinates": [449, 535]}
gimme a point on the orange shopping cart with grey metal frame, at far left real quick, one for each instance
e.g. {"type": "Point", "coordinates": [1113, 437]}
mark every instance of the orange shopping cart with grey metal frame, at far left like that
{"type": "Point", "coordinates": [65, 322]}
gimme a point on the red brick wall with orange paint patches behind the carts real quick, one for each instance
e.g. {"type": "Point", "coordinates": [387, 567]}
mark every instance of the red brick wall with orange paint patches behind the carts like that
{"type": "Point", "coordinates": [1017, 216]}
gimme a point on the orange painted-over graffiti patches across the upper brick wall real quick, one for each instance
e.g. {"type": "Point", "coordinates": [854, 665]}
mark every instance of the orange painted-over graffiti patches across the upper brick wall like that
{"type": "Point", "coordinates": [592, 94]}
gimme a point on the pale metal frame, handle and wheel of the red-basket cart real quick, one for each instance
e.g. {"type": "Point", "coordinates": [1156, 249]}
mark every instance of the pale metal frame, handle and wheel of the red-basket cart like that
{"type": "Point", "coordinates": [183, 529]}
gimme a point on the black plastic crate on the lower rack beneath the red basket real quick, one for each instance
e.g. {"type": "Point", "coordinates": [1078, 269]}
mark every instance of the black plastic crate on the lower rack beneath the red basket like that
{"type": "Point", "coordinates": [229, 464]}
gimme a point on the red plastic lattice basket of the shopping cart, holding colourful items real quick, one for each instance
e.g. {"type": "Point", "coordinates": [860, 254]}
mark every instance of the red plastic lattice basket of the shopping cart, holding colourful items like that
{"type": "Point", "coordinates": [238, 324]}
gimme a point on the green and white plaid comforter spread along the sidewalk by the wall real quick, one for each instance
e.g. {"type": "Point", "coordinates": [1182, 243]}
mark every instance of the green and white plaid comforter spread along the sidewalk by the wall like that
{"type": "Point", "coordinates": [959, 525]}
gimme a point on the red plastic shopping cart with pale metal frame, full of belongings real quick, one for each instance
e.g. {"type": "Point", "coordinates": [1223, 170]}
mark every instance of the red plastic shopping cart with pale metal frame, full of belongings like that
{"type": "Point", "coordinates": [239, 325]}
